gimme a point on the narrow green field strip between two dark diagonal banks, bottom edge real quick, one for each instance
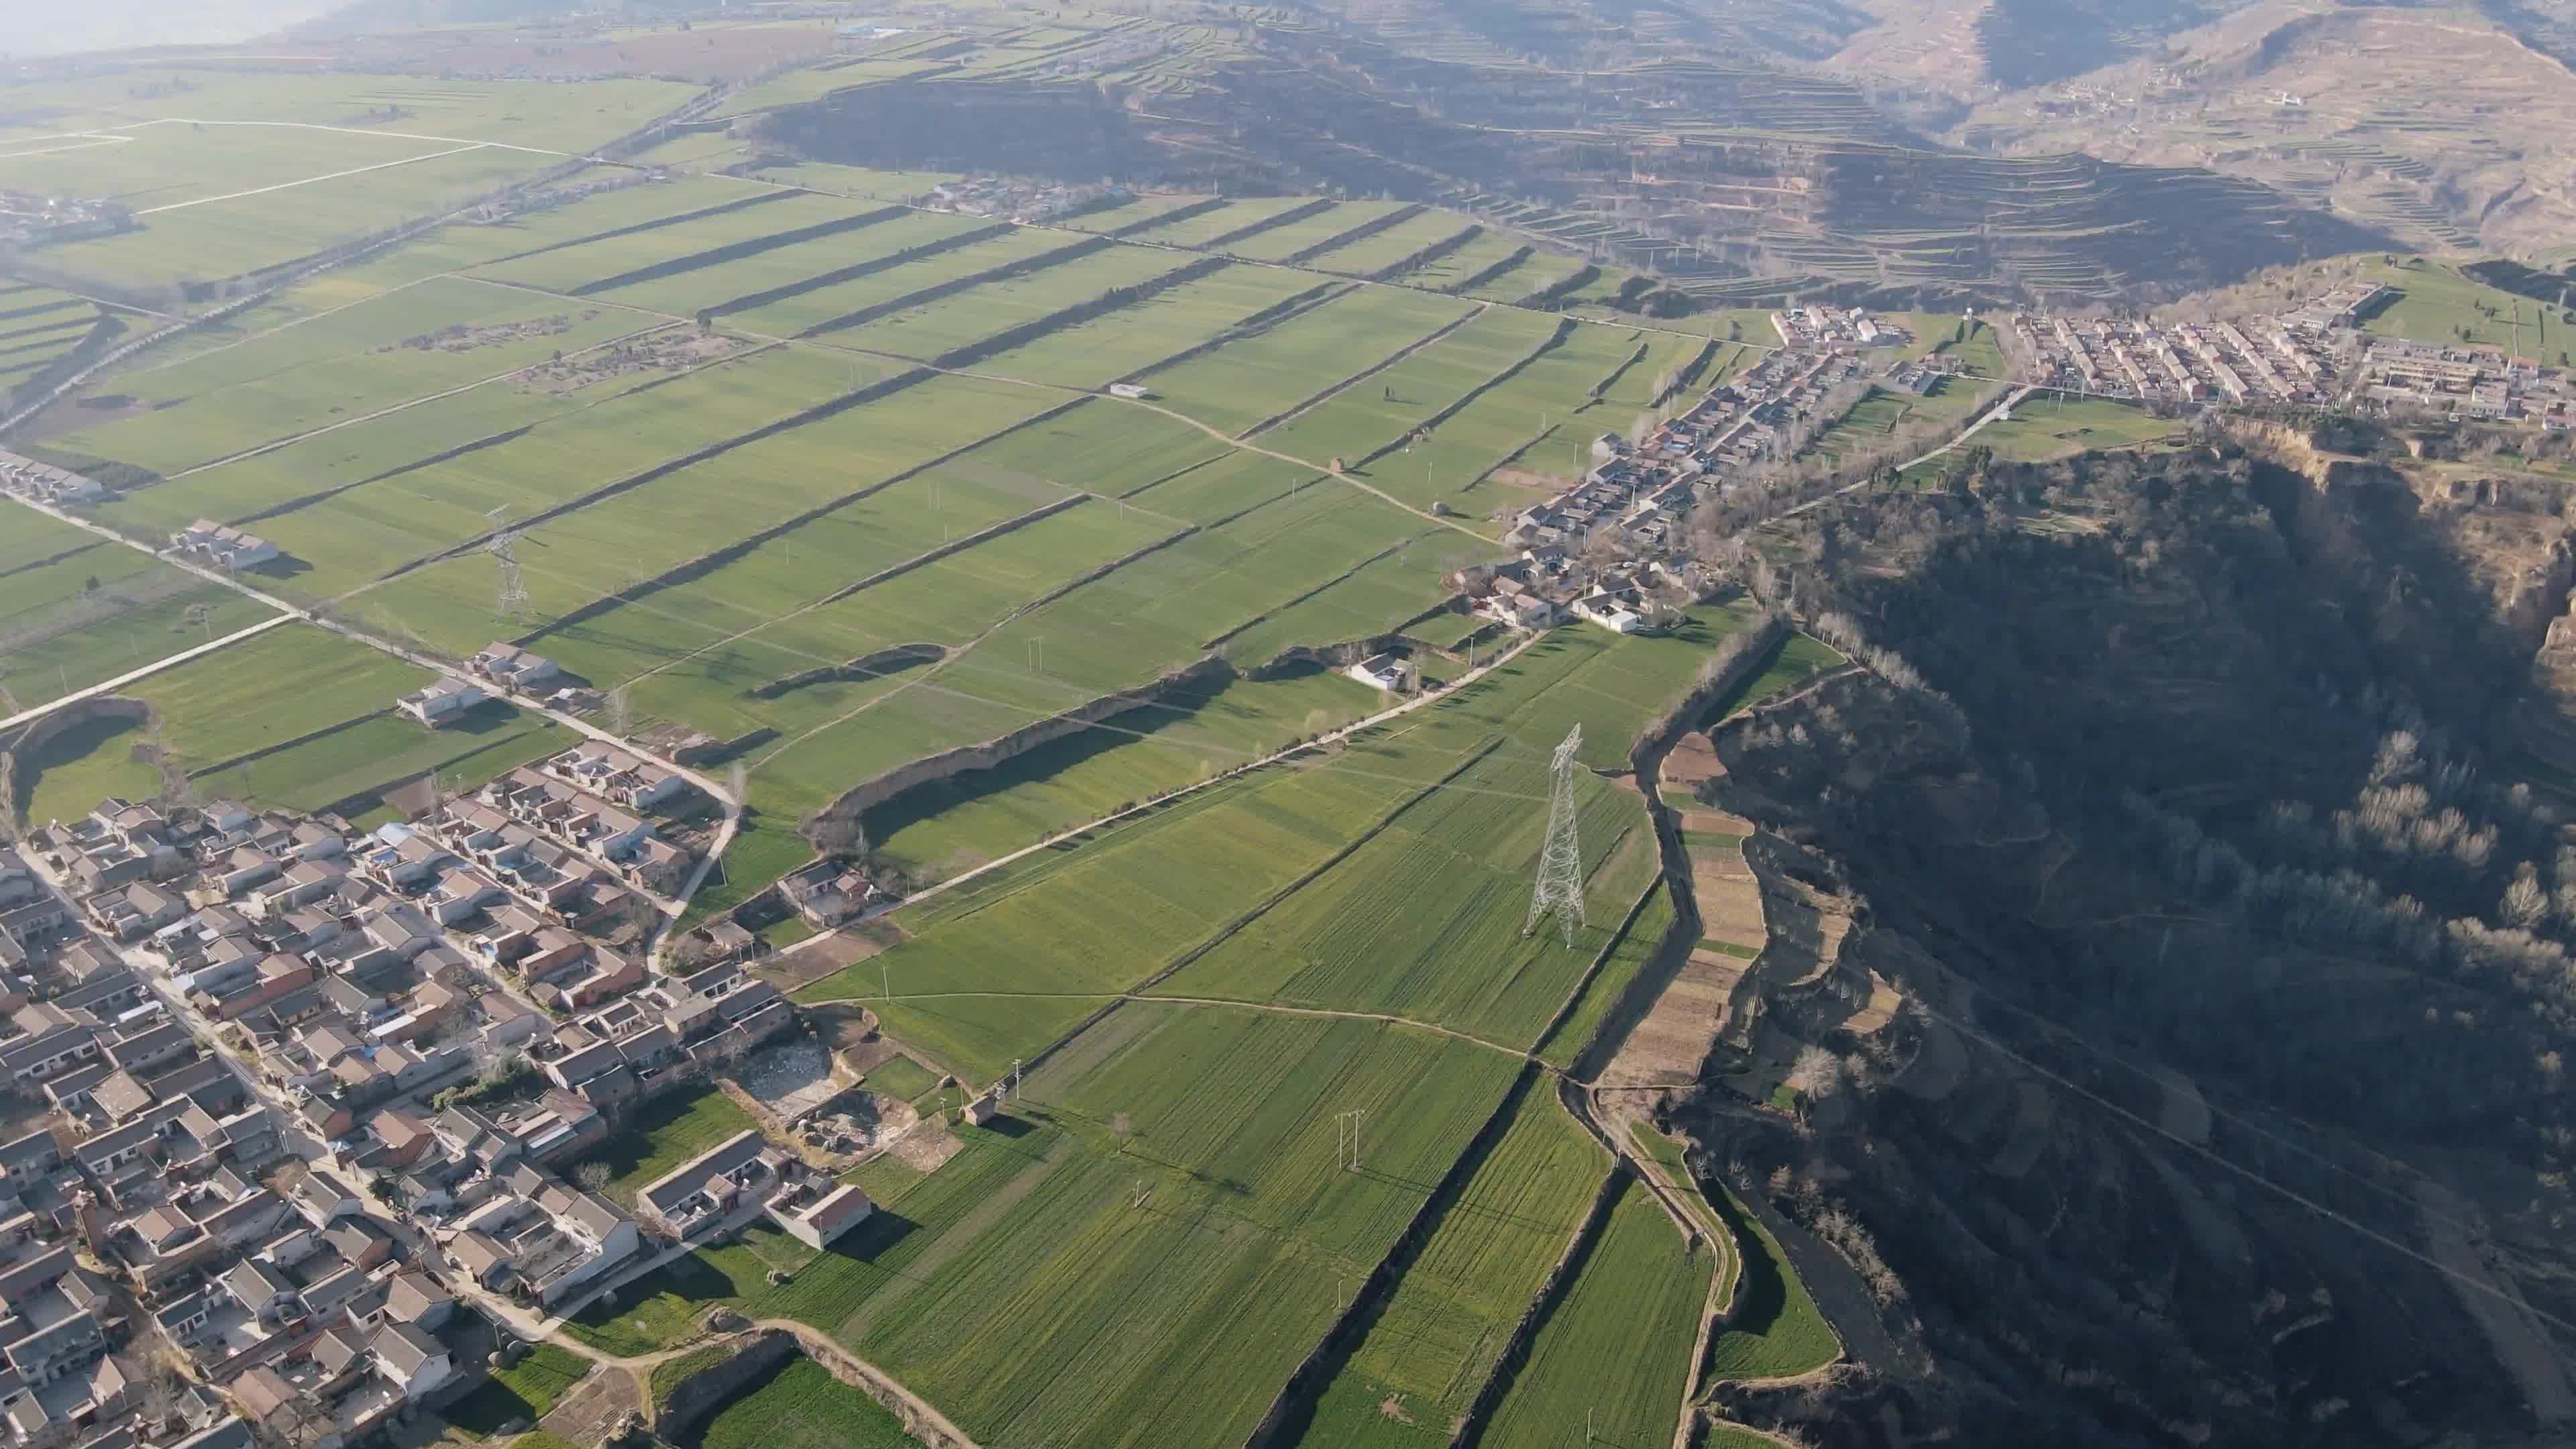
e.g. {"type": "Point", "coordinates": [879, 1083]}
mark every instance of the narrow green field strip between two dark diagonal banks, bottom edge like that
{"type": "Point", "coordinates": [1436, 1339]}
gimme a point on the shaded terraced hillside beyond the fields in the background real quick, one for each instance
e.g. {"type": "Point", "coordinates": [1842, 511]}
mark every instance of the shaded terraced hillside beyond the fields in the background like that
{"type": "Point", "coordinates": [1732, 184]}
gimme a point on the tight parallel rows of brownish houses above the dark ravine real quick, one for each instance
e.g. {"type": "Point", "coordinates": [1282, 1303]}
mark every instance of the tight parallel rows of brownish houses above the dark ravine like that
{"type": "Point", "coordinates": [2193, 362]}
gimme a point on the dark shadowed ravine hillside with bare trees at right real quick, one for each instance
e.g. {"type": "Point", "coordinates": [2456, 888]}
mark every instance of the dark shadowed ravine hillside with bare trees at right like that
{"type": "Point", "coordinates": [2183, 803]}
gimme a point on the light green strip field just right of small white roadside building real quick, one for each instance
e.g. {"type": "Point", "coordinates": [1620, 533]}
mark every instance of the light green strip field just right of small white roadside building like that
{"type": "Point", "coordinates": [1269, 373]}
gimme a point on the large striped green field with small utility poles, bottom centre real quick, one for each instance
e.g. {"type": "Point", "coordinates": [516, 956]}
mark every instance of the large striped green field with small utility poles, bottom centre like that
{"type": "Point", "coordinates": [1160, 1285]}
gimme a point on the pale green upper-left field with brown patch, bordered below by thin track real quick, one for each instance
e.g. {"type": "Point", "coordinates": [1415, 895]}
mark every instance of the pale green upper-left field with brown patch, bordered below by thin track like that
{"type": "Point", "coordinates": [336, 370]}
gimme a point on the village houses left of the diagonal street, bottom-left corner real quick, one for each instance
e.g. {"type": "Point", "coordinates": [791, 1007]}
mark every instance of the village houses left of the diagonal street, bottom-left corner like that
{"type": "Point", "coordinates": [143, 1180]}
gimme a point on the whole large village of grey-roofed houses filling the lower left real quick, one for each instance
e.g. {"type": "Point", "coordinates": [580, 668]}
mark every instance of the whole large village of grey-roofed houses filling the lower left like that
{"type": "Point", "coordinates": [354, 978]}
